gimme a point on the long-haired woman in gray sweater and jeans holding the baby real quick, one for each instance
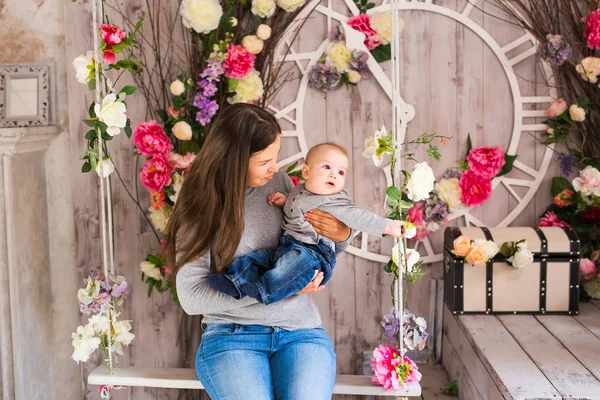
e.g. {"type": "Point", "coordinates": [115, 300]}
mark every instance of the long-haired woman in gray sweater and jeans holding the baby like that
{"type": "Point", "coordinates": [248, 350]}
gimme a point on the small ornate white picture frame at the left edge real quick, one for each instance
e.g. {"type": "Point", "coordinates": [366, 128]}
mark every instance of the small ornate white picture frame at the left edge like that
{"type": "Point", "coordinates": [24, 95]}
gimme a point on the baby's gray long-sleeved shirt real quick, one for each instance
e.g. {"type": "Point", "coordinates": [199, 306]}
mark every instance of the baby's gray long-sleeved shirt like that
{"type": "Point", "coordinates": [300, 200]}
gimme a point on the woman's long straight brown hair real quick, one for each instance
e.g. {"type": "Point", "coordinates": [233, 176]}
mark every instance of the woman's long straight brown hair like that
{"type": "Point", "coordinates": [209, 213]}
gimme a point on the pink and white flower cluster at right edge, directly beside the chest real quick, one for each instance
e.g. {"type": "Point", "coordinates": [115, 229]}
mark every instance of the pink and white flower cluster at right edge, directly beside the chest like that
{"type": "Point", "coordinates": [576, 204]}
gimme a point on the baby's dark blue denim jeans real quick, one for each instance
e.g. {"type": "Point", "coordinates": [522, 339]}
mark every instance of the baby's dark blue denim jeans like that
{"type": "Point", "coordinates": [272, 275]}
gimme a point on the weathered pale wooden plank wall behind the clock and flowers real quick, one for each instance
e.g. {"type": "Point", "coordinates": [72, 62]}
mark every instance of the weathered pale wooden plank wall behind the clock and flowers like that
{"type": "Point", "coordinates": [457, 87]}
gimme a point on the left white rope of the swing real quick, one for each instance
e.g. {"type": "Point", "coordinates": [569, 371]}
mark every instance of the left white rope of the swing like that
{"type": "Point", "coordinates": [105, 246]}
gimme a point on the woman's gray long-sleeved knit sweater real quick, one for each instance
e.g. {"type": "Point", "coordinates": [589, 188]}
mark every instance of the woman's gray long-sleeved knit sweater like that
{"type": "Point", "coordinates": [262, 229]}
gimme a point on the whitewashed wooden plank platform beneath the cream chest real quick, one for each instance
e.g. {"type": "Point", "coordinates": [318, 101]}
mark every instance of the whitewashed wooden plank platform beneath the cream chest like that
{"type": "Point", "coordinates": [523, 356]}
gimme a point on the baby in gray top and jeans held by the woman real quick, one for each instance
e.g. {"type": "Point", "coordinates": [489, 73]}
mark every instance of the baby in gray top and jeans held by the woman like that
{"type": "Point", "coordinates": [271, 275]}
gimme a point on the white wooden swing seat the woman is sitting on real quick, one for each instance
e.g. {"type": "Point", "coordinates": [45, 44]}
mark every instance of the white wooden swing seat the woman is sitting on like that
{"type": "Point", "coordinates": [182, 378]}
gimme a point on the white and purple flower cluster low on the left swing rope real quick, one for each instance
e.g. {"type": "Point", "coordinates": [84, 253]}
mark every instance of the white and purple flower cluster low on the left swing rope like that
{"type": "Point", "coordinates": [103, 330]}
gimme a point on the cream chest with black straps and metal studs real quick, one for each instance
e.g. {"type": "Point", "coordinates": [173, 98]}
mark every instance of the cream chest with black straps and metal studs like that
{"type": "Point", "coordinates": [548, 286]}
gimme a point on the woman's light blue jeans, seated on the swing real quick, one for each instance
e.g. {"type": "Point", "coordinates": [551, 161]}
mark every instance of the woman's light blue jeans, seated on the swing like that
{"type": "Point", "coordinates": [265, 363]}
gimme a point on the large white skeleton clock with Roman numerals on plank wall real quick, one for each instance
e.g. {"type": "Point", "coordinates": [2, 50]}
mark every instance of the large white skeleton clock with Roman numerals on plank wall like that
{"type": "Point", "coordinates": [525, 107]}
